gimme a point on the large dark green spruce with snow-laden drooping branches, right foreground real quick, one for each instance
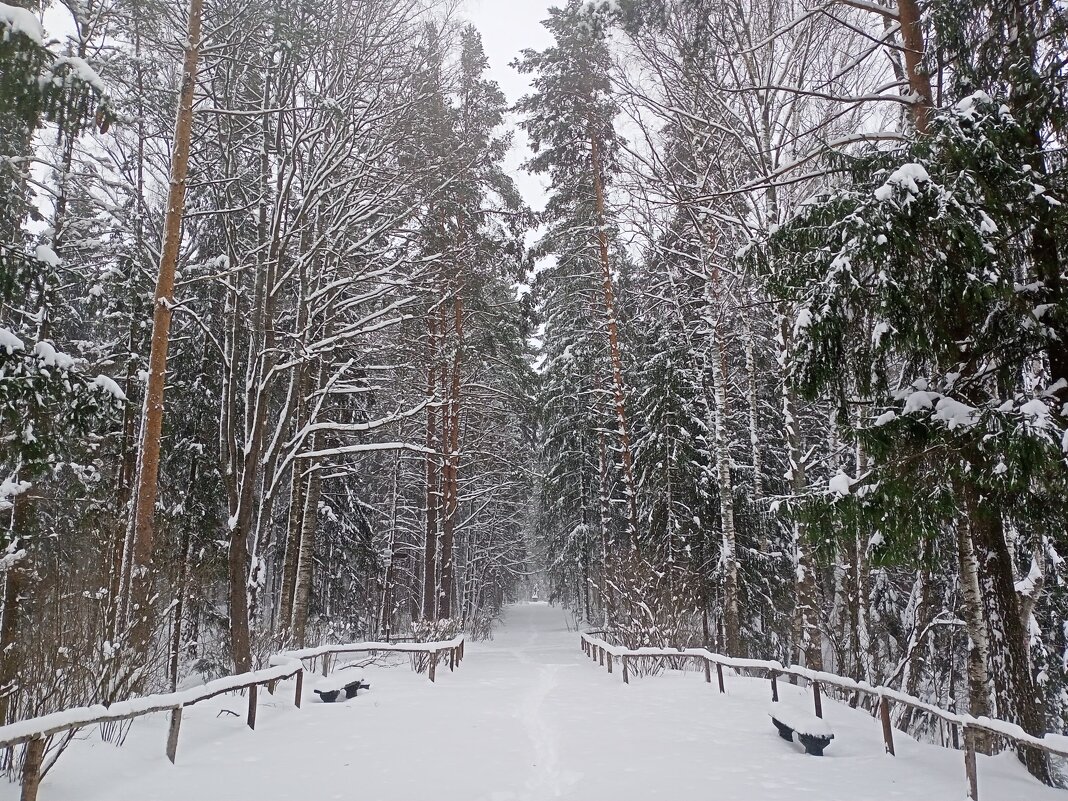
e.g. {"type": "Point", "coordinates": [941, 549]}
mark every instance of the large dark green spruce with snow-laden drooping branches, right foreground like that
{"type": "Point", "coordinates": [919, 293]}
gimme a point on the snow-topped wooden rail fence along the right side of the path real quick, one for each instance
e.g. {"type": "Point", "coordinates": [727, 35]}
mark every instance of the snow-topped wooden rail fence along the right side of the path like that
{"type": "Point", "coordinates": [1055, 745]}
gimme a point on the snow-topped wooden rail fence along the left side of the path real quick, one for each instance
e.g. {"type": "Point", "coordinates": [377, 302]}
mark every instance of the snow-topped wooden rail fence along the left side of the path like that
{"type": "Point", "coordinates": [35, 732]}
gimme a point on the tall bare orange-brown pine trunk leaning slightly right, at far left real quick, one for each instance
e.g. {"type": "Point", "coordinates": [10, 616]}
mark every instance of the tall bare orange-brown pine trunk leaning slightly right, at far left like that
{"type": "Point", "coordinates": [152, 426]}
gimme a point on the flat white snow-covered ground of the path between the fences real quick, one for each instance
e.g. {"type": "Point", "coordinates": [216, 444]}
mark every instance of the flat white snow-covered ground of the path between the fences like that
{"type": "Point", "coordinates": [526, 717]}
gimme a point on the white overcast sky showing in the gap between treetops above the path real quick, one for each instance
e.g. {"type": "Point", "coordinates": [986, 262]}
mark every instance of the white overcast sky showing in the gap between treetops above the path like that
{"type": "Point", "coordinates": [507, 28]}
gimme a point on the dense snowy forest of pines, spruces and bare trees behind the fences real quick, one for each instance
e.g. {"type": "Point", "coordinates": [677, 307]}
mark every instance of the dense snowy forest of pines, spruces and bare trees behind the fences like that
{"type": "Point", "coordinates": [778, 366]}
